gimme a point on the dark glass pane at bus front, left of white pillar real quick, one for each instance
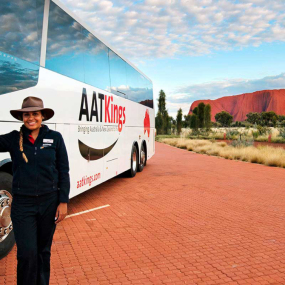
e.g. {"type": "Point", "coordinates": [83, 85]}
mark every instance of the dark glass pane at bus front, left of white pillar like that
{"type": "Point", "coordinates": [20, 38]}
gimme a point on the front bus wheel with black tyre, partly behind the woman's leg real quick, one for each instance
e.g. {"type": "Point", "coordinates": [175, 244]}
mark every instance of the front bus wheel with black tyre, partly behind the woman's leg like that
{"type": "Point", "coordinates": [7, 239]}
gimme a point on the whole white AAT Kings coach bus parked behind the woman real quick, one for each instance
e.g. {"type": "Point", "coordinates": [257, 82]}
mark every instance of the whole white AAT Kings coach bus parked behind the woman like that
{"type": "Point", "coordinates": [103, 104]}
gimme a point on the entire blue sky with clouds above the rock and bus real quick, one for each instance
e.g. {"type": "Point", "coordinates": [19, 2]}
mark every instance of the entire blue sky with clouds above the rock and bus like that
{"type": "Point", "coordinates": [195, 49]}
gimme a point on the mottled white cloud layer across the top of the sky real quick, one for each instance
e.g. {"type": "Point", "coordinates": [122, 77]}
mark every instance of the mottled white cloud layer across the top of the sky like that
{"type": "Point", "coordinates": [146, 29]}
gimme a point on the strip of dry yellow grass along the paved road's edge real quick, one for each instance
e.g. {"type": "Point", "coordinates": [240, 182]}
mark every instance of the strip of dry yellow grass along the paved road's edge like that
{"type": "Point", "coordinates": [266, 155]}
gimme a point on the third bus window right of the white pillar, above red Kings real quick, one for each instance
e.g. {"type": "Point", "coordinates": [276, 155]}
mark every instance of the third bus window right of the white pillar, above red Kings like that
{"type": "Point", "coordinates": [118, 75]}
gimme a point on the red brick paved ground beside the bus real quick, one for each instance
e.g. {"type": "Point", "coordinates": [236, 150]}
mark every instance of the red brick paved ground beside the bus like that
{"type": "Point", "coordinates": [186, 219]}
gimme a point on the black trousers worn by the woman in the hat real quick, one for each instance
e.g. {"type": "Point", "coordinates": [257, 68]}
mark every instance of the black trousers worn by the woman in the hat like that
{"type": "Point", "coordinates": [33, 223]}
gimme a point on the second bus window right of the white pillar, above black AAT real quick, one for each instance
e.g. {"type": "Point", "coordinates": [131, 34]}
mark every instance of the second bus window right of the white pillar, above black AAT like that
{"type": "Point", "coordinates": [96, 62]}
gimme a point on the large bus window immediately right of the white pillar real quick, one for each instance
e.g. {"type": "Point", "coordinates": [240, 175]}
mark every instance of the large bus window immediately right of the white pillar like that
{"type": "Point", "coordinates": [65, 46]}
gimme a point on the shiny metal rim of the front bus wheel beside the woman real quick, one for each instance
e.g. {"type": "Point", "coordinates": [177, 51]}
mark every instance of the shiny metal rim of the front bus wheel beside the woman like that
{"type": "Point", "coordinates": [5, 214]}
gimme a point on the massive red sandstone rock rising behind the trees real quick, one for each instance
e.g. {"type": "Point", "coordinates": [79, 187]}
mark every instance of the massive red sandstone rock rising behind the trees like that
{"type": "Point", "coordinates": [240, 105]}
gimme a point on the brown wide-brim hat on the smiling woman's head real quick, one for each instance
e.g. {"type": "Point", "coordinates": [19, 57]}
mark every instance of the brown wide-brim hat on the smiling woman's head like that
{"type": "Point", "coordinates": [32, 104]}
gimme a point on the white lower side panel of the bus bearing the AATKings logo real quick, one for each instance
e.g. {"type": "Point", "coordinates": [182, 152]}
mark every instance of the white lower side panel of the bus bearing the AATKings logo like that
{"type": "Point", "coordinates": [64, 96]}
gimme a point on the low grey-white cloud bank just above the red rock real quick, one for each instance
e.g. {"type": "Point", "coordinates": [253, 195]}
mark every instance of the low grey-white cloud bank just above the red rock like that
{"type": "Point", "coordinates": [214, 90]}
